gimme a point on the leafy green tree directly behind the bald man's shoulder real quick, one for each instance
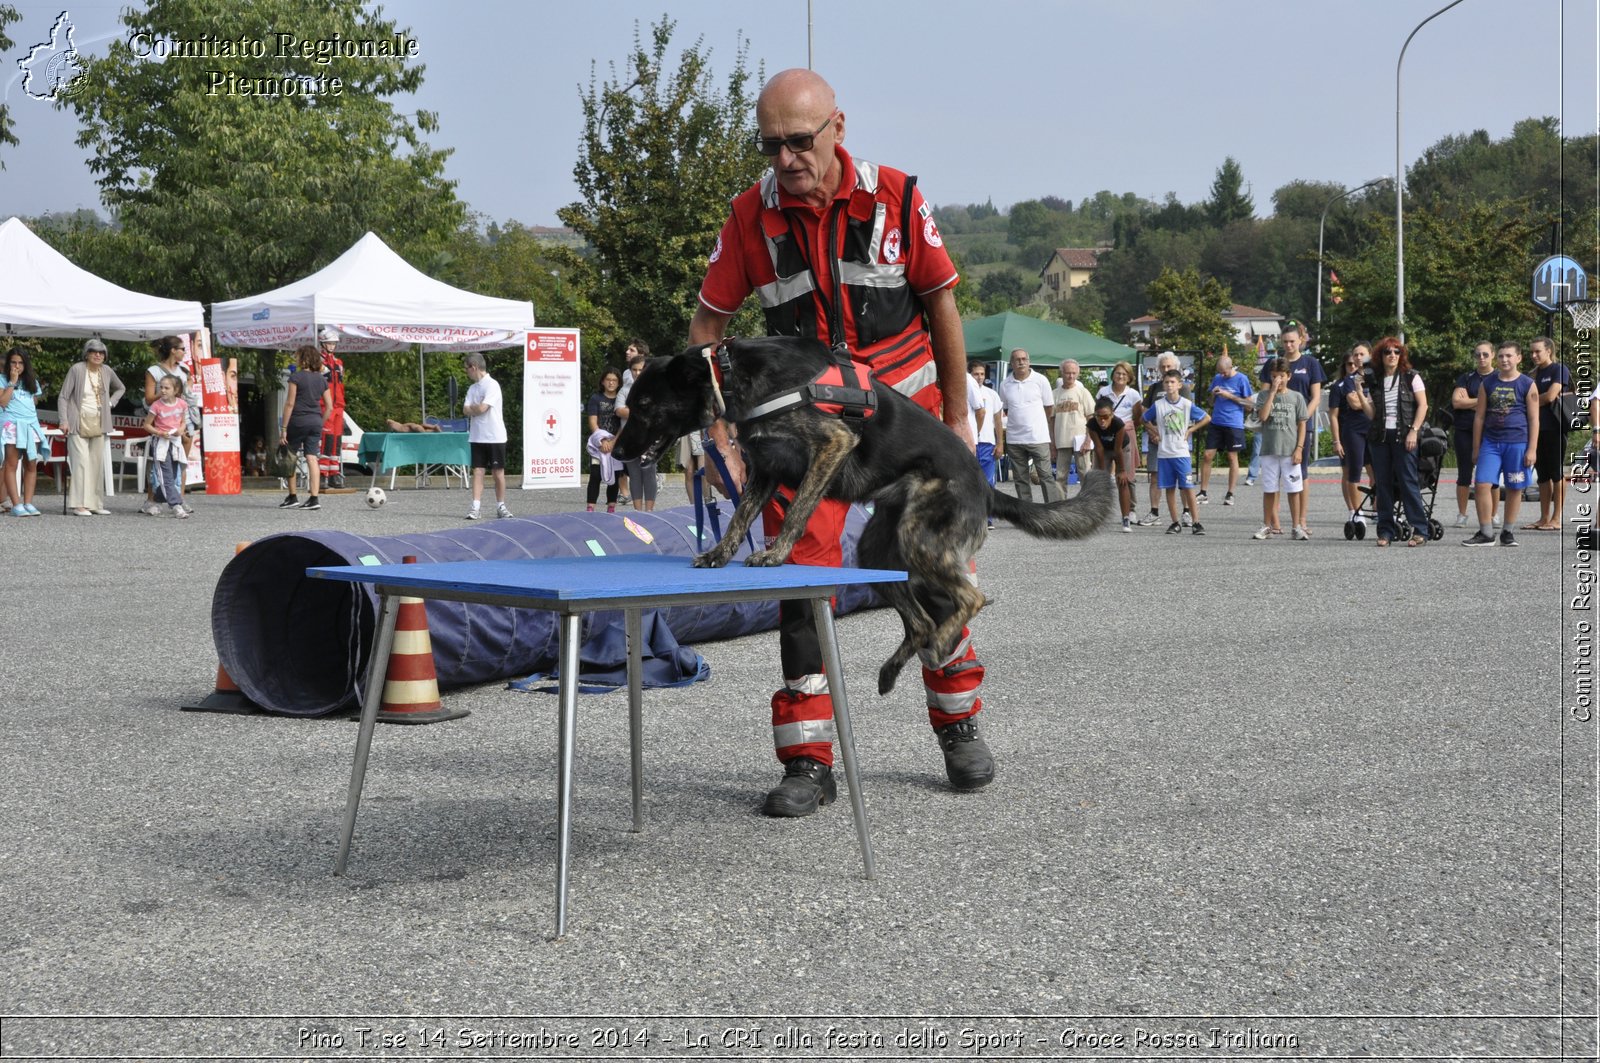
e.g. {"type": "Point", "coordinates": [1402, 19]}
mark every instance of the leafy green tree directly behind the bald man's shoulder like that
{"type": "Point", "coordinates": [663, 151]}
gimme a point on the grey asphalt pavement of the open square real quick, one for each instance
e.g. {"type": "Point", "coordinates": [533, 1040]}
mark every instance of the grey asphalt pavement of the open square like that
{"type": "Point", "coordinates": [1254, 798]}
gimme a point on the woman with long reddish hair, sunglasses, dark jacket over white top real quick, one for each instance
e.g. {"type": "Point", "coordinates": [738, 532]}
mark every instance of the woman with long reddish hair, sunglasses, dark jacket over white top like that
{"type": "Point", "coordinates": [1396, 399]}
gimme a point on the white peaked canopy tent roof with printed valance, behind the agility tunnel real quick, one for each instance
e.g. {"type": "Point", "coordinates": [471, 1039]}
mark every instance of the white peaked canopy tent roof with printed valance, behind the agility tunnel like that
{"type": "Point", "coordinates": [377, 302]}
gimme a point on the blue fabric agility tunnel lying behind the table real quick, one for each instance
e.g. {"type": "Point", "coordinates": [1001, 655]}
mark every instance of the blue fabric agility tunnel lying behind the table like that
{"type": "Point", "coordinates": [300, 648]}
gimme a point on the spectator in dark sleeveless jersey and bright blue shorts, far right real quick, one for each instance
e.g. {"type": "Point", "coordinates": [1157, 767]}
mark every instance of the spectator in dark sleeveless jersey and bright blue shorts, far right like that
{"type": "Point", "coordinates": [1506, 441]}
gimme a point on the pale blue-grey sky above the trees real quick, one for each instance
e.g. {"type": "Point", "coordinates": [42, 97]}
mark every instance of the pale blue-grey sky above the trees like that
{"type": "Point", "coordinates": [1001, 100]}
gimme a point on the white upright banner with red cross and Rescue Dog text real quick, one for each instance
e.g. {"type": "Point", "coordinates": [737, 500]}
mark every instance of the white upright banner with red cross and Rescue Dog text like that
{"type": "Point", "coordinates": [553, 425]}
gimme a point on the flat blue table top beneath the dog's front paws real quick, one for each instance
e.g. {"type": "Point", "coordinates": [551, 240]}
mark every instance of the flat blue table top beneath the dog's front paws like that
{"type": "Point", "coordinates": [602, 579]}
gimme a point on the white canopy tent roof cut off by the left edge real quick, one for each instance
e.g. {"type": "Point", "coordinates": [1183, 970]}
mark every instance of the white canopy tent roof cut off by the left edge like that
{"type": "Point", "coordinates": [42, 294]}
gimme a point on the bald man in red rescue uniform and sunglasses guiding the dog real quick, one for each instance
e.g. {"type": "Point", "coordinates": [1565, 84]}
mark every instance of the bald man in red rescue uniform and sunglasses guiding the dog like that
{"type": "Point", "coordinates": [841, 249]}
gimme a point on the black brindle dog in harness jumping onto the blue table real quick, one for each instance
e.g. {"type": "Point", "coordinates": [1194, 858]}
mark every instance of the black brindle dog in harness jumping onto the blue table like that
{"type": "Point", "coordinates": [930, 497]}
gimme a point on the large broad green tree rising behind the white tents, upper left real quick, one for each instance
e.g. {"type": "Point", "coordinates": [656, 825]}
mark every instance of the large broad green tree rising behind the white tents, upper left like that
{"type": "Point", "coordinates": [222, 195]}
